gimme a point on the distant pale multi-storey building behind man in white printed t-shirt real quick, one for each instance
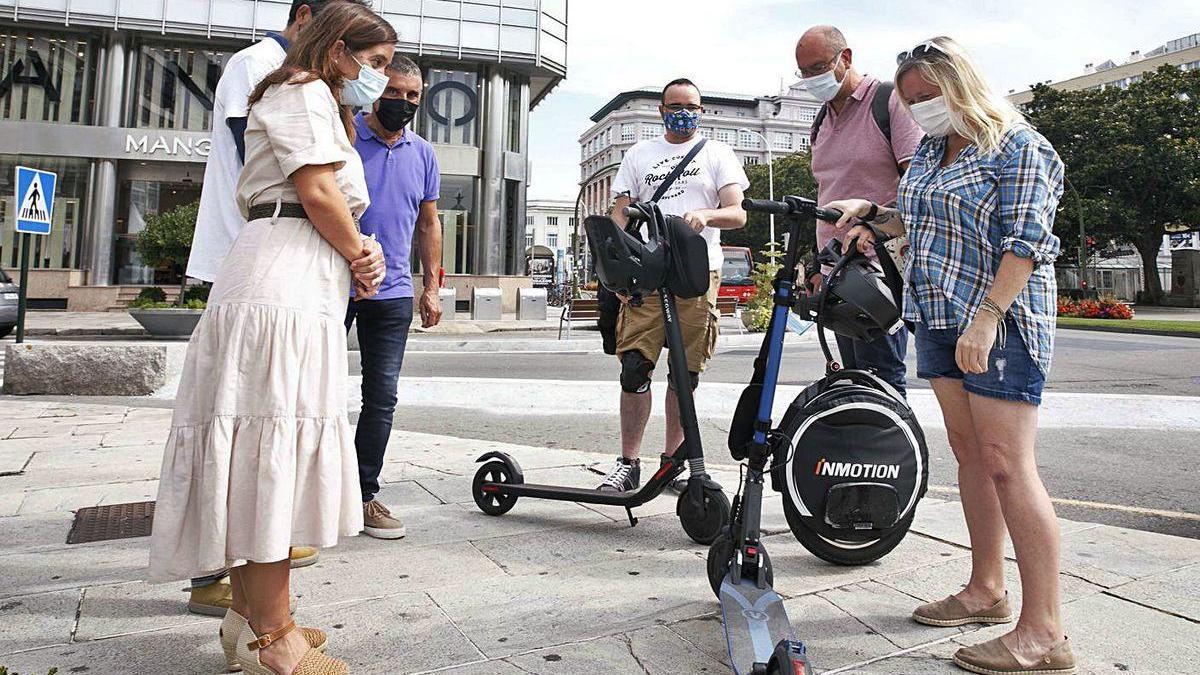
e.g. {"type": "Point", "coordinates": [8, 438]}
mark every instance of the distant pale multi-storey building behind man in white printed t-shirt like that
{"type": "Point", "coordinates": [735, 120]}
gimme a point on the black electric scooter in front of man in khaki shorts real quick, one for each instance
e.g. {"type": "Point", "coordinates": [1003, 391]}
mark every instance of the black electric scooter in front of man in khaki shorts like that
{"type": "Point", "coordinates": [703, 509]}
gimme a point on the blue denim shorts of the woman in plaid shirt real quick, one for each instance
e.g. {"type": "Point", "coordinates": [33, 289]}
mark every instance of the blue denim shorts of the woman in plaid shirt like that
{"type": "Point", "coordinates": [1012, 374]}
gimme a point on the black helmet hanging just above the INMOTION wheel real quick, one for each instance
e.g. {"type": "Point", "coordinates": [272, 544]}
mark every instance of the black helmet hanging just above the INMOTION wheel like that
{"type": "Point", "coordinates": [856, 301]}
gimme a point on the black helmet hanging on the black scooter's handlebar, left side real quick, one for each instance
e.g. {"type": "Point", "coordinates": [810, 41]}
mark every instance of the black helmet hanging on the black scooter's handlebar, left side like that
{"type": "Point", "coordinates": [623, 262]}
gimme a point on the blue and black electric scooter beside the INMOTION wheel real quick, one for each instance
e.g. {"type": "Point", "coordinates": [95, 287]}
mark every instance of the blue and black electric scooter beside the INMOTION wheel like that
{"type": "Point", "coordinates": [759, 635]}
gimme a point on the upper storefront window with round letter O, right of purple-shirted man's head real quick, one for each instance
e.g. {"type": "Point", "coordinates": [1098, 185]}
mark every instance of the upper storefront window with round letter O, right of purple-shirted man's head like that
{"type": "Point", "coordinates": [452, 107]}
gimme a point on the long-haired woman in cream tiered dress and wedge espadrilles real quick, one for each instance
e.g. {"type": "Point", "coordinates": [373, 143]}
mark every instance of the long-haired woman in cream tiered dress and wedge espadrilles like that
{"type": "Point", "coordinates": [261, 455]}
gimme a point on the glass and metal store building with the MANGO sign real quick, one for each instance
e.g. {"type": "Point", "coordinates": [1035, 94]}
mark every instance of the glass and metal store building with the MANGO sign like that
{"type": "Point", "coordinates": [117, 98]}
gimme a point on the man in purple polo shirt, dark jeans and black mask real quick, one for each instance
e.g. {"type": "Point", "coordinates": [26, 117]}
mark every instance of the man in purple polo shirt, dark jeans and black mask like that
{"type": "Point", "coordinates": [404, 183]}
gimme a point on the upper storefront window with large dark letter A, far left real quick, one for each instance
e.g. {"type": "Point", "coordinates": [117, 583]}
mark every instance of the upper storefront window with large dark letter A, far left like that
{"type": "Point", "coordinates": [46, 77]}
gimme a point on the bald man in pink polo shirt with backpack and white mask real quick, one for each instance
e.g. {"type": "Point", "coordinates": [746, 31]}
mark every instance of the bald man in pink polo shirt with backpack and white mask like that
{"type": "Point", "coordinates": [862, 142]}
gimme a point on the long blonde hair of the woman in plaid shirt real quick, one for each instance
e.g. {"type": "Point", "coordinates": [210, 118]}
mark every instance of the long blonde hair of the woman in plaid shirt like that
{"type": "Point", "coordinates": [977, 114]}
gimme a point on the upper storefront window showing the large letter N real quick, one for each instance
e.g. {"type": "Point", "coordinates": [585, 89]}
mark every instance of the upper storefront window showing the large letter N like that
{"type": "Point", "coordinates": [175, 86]}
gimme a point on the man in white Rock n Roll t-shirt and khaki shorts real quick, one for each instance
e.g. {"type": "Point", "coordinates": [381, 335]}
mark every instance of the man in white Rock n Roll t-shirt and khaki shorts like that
{"type": "Point", "coordinates": [707, 195]}
